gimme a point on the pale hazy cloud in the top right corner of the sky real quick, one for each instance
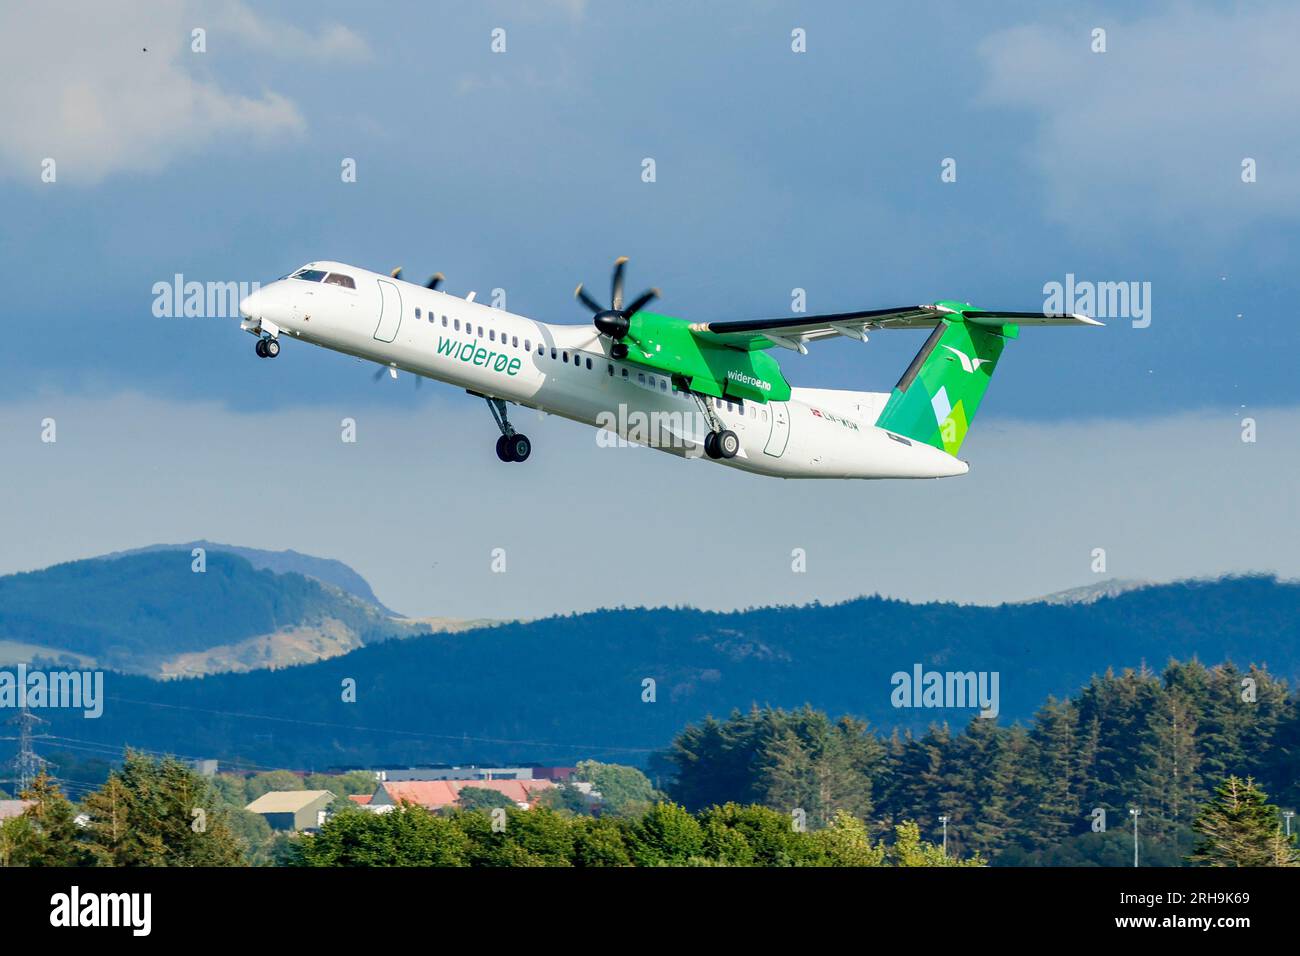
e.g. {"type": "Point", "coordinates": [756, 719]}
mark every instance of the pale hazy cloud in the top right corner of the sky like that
{"type": "Point", "coordinates": [1154, 132]}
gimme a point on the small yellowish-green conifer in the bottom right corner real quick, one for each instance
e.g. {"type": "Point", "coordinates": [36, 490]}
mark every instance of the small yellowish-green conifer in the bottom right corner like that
{"type": "Point", "coordinates": [1240, 828]}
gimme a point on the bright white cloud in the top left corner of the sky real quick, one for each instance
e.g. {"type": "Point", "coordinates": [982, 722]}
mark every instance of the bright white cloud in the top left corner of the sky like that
{"type": "Point", "coordinates": [106, 89]}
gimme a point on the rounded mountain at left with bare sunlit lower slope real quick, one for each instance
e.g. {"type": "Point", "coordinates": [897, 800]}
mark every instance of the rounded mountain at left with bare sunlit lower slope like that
{"type": "Point", "coordinates": [151, 613]}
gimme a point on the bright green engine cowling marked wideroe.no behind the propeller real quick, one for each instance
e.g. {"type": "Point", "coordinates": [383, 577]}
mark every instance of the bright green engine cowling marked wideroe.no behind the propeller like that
{"type": "Point", "coordinates": [669, 347]}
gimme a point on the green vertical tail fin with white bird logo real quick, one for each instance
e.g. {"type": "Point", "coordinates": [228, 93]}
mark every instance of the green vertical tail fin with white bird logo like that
{"type": "Point", "coordinates": [939, 395]}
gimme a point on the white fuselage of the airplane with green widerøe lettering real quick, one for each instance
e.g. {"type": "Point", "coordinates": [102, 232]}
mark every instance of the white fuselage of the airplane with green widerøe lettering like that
{"type": "Point", "coordinates": [566, 370]}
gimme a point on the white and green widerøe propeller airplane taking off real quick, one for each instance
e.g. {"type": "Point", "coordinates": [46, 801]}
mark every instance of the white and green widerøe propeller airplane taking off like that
{"type": "Point", "coordinates": [707, 390]}
